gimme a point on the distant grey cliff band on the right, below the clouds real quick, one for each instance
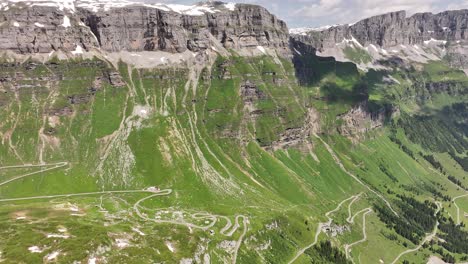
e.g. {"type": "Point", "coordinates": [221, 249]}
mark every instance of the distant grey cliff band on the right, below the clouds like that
{"type": "Point", "coordinates": [394, 29]}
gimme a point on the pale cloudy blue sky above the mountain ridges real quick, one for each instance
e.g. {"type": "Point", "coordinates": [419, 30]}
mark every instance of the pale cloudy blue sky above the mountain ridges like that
{"type": "Point", "coordinates": [299, 13]}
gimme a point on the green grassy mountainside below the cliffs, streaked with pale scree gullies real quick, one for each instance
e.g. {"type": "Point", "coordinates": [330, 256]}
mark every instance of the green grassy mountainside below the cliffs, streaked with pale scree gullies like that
{"type": "Point", "coordinates": [215, 137]}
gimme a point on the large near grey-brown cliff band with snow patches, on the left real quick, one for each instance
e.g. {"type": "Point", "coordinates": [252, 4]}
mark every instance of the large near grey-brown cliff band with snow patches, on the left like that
{"type": "Point", "coordinates": [42, 29]}
